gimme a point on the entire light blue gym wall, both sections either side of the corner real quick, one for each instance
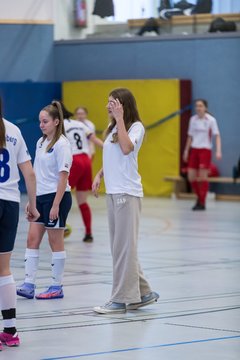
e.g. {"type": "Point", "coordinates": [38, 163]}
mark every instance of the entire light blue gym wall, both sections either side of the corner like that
{"type": "Point", "coordinates": [210, 61]}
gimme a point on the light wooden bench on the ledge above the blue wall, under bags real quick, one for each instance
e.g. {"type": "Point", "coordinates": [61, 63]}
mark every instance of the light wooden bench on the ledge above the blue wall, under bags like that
{"type": "Point", "coordinates": [199, 19]}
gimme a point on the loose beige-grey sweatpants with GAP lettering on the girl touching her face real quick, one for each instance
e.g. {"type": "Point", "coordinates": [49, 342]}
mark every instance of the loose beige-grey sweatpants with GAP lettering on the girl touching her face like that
{"type": "Point", "coordinates": [129, 283]}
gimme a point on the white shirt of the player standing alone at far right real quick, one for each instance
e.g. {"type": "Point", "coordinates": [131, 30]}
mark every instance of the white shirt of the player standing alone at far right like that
{"type": "Point", "coordinates": [202, 130]}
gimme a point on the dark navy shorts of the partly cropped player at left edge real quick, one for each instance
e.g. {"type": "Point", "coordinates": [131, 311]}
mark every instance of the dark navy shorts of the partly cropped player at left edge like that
{"type": "Point", "coordinates": [9, 215]}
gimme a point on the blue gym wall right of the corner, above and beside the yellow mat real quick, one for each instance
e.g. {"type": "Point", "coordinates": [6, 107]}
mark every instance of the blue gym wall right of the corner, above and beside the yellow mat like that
{"type": "Point", "coordinates": [210, 61]}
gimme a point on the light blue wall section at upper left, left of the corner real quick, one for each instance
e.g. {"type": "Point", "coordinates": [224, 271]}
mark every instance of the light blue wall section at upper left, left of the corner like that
{"type": "Point", "coordinates": [27, 52]}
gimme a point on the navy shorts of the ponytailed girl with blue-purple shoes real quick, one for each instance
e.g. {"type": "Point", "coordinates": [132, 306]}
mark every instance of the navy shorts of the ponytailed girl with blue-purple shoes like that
{"type": "Point", "coordinates": [44, 205]}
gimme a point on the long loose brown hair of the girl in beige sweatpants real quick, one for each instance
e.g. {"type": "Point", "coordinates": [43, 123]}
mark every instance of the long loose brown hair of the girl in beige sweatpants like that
{"type": "Point", "coordinates": [130, 111]}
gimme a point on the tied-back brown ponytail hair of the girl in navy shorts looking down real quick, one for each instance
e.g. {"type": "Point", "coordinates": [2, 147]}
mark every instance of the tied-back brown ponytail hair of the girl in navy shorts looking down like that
{"type": "Point", "coordinates": [55, 111]}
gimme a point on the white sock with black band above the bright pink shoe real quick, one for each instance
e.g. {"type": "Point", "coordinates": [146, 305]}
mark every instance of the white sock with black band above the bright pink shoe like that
{"type": "Point", "coordinates": [8, 300]}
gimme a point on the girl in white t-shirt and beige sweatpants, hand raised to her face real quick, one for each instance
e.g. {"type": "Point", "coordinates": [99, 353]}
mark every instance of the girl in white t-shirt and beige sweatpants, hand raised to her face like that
{"type": "Point", "coordinates": [123, 140]}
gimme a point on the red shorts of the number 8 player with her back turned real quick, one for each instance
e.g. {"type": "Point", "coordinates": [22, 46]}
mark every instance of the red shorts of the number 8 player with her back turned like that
{"type": "Point", "coordinates": [80, 176]}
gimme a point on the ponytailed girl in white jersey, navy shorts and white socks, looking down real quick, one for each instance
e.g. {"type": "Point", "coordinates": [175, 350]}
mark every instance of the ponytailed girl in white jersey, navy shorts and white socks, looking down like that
{"type": "Point", "coordinates": [52, 165]}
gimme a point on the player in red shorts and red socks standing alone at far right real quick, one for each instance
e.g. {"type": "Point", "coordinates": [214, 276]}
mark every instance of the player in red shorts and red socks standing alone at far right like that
{"type": "Point", "coordinates": [202, 128]}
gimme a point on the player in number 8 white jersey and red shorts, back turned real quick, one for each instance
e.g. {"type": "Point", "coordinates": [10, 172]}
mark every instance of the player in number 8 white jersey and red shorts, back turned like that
{"type": "Point", "coordinates": [80, 177]}
